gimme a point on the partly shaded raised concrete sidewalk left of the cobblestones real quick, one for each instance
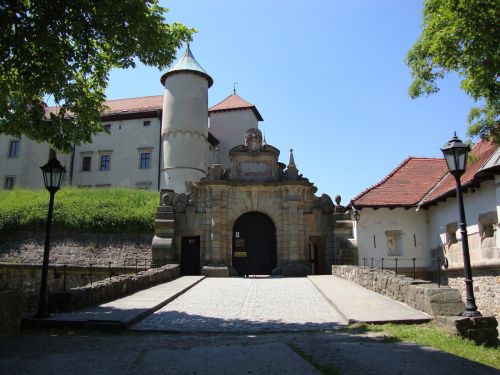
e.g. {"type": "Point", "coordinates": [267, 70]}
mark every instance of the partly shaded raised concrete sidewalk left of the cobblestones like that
{"type": "Point", "coordinates": [122, 312]}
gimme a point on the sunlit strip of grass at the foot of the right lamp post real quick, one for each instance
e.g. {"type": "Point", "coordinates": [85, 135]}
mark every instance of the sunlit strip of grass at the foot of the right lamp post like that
{"type": "Point", "coordinates": [440, 338]}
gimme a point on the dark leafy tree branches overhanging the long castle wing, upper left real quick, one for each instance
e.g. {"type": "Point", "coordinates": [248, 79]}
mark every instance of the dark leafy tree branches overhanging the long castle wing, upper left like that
{"type": "Point", "coordinates": [65, 49]}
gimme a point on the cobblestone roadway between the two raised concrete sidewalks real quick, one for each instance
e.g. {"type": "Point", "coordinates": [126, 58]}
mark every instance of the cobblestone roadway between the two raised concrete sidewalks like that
{"type": "Point", "coordinates": [246, 305]}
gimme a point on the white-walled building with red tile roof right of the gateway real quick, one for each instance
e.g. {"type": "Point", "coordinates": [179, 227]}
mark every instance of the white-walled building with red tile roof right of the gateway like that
{"type": "Point", "coordinates": [421, 212]}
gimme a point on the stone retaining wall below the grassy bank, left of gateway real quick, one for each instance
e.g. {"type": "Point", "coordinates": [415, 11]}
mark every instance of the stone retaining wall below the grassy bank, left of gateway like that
{"type": "Point", "coordinates": [78, 249]}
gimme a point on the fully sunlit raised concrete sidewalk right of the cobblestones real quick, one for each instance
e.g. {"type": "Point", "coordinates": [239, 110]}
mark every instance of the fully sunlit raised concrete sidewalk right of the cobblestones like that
{"type": "Point", "coordinates": [360, 305]}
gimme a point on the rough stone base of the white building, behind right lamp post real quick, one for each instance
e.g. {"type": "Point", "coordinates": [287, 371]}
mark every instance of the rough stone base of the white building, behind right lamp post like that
{"type": "Point", "coordinates": [486, 282]}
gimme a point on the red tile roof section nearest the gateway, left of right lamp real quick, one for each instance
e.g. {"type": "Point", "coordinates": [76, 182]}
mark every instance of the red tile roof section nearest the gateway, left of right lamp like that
{"type": "Point", "coordinates": [405, 186]}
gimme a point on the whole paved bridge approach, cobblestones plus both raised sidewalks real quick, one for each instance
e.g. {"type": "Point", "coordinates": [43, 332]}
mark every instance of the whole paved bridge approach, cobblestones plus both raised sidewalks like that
{"type": "Point", "coordinates": [243, 305]}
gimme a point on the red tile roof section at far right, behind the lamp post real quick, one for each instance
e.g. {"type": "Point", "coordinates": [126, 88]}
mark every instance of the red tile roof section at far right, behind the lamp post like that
{"type": "Point", "coordinates": [481, 152]}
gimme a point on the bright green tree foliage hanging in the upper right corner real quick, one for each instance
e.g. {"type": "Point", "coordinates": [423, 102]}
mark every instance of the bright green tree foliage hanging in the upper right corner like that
{"type": "Point", "coordinates": [461, 36]}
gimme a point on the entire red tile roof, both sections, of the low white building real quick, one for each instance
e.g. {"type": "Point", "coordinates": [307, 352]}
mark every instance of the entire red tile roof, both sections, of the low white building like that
{"type": "Point", "coordinates": [422, 181]}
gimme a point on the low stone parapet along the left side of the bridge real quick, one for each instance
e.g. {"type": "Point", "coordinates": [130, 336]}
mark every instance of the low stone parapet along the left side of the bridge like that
{"type": "Point", "coordinates": [111, 288]}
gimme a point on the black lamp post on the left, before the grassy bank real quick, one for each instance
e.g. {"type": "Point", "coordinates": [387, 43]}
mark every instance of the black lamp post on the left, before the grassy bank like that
{"type": "Point", "coordinates": [52, 177]}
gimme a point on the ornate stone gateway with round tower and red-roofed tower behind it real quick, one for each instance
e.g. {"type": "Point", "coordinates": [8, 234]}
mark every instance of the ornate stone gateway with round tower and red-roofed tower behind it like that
{"type": "Point", "coordinates": [227, 205]}
